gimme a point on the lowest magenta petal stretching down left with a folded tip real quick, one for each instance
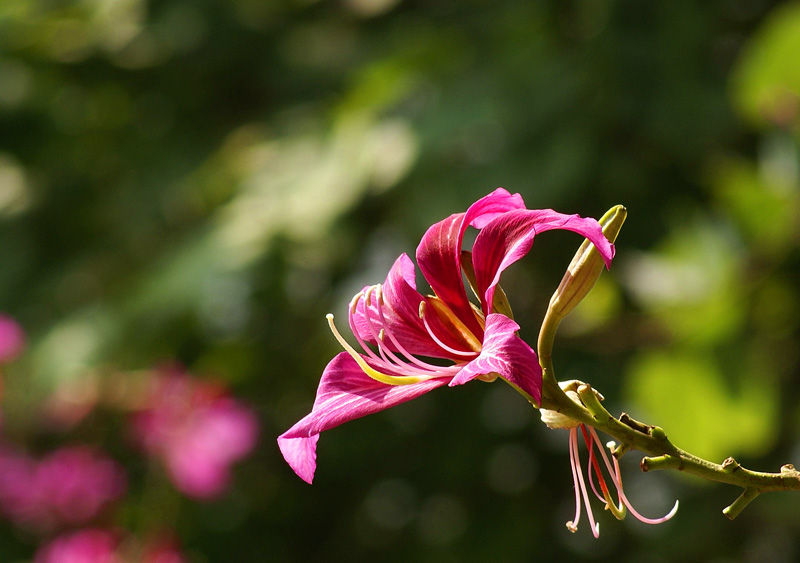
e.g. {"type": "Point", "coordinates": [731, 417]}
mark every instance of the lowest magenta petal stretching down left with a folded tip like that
{"type": "Point", "coordinates": [345, 393]}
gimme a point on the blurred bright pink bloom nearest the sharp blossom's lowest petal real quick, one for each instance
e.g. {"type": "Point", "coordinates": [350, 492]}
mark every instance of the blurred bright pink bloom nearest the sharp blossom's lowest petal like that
{"type": "Point", "coordinates": [196, 430]}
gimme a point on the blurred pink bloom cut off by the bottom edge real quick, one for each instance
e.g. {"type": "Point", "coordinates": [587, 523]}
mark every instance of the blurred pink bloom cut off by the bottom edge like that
{"type": "Point", "coordinates": [83, 546]}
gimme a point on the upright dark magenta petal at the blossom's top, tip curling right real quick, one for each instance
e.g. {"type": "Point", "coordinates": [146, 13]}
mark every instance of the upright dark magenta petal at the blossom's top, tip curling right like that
{"type": "Point", "coordinates": [439, 251]}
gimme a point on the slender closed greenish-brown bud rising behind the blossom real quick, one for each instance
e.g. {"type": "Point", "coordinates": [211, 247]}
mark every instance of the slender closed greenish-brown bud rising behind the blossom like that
{"type": "Point", "coordinates": [585, 268]}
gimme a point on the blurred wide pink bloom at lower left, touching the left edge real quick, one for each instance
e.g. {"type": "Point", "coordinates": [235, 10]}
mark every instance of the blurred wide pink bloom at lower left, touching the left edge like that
{"type": "Point", "coordinates": [71, 486]}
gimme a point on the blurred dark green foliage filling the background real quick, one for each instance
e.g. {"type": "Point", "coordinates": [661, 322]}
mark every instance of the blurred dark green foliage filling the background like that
{"type": "Point", "coordinates": [200, 182]}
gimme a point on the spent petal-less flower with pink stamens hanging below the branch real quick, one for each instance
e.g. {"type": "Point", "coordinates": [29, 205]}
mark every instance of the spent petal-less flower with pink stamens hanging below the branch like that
{"type": "Point", "coordinates": [618, 508]}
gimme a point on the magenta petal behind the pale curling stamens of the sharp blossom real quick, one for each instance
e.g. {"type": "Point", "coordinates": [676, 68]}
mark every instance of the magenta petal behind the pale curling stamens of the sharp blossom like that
{"type": "Point", "coordinates": [401, 316]}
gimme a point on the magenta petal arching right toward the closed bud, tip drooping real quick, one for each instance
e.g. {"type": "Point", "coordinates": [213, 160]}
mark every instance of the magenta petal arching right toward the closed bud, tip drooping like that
{"type": "Point", "coordinates": [509, 237]}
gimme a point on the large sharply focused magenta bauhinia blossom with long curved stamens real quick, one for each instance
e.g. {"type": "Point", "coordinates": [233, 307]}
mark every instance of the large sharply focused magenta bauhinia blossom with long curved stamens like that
{"type": "Point", "coordinates": [394, 324]}
